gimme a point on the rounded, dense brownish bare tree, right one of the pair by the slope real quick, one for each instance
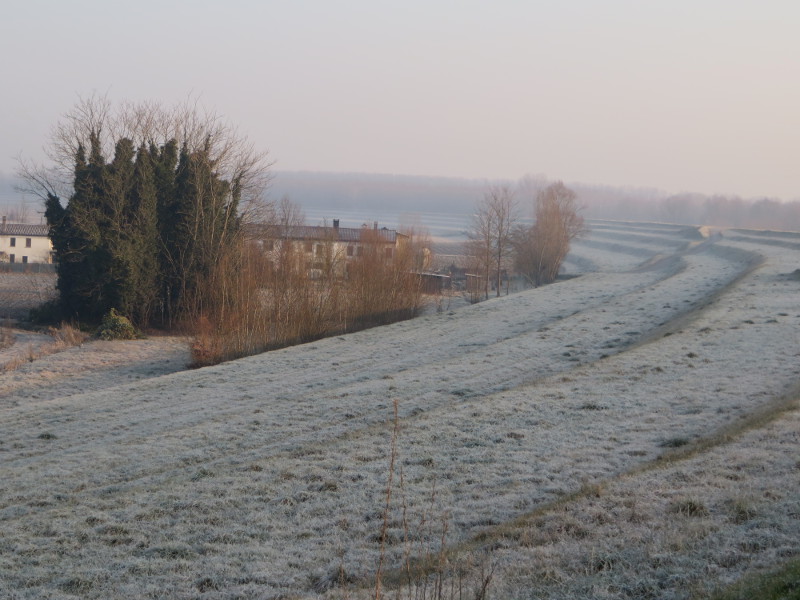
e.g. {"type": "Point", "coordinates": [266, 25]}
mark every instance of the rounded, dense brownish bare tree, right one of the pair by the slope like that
{"type": "Point", "coordinates": [542, 247]}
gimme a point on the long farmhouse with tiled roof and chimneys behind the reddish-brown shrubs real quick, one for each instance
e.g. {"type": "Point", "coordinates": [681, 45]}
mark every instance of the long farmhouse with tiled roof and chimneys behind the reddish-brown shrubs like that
{"type": "Point", "coordinates": [324, 248]}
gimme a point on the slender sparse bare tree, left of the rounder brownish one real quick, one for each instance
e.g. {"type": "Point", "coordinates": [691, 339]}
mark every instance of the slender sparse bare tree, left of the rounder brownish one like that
{"type": "Point", "coordinates": [490, 234]}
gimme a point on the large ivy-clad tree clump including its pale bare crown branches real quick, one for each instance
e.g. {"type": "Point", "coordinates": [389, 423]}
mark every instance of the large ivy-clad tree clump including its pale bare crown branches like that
{"type": "Point", "coordinates": [144, 231]}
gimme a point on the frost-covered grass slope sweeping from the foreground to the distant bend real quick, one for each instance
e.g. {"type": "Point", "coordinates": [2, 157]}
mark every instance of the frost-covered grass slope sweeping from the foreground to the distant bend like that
{"type": "Point", "coordinates": [267, 476]}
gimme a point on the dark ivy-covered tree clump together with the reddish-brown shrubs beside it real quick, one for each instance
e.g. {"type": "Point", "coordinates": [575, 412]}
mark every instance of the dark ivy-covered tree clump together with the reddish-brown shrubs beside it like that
{"type": "Point", "coordinates": [160, 209]}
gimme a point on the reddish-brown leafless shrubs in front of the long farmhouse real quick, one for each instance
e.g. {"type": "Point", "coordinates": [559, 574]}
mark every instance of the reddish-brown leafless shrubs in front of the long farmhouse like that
{"type": "Point", "coordinates": [256, 302]}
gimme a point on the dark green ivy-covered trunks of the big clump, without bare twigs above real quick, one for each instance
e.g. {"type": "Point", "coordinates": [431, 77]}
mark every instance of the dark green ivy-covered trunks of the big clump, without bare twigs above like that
{"type": "Point", "coordinates": [142, 234]}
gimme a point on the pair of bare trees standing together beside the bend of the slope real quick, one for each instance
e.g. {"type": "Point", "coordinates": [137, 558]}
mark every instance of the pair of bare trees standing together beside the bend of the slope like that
{"type": "Point", "coordinates": [500, 241]}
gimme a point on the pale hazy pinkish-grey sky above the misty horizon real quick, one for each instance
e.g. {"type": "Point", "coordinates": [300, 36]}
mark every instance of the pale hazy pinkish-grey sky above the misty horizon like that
{"type": "Point", "coordinates": [683, 95]}
